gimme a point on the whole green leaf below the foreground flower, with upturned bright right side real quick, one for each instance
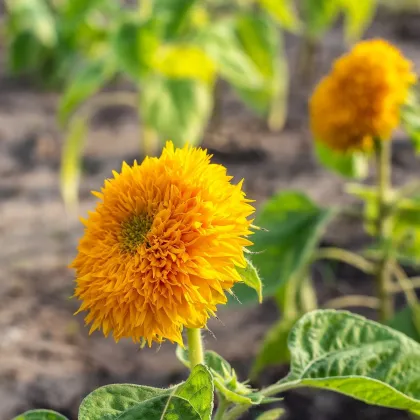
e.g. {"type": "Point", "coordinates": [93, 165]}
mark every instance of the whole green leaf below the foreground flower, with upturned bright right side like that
{"type": "Point", "coordinates": [191, 400]}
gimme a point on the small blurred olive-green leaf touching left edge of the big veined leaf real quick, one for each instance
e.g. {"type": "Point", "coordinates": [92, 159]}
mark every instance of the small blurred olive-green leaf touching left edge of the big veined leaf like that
{"type": "Point", "coordinates": [274, 349]}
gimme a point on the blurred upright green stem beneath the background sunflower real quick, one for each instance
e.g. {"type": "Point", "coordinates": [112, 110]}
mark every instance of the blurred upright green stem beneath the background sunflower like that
{"type": "Point", "coordinates": [384, 228]}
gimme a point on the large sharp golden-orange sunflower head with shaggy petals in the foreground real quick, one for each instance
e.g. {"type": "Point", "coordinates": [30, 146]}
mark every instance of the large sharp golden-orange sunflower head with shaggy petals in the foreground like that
{"type": "Point", "coordinates": [162, 247]}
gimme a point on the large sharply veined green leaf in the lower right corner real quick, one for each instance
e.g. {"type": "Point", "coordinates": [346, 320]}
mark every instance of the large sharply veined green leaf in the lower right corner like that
{"type": "Point", "coordinates": [346, 353]}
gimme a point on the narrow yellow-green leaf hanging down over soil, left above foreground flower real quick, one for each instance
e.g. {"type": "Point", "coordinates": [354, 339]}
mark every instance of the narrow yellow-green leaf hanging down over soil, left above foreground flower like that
{"type": "Point", "coordinates": [71, 161]}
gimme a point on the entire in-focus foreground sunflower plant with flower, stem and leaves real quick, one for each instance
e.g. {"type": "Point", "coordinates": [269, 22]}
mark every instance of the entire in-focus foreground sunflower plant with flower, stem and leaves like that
{"type": "Point", "coordinates": [166, 243]}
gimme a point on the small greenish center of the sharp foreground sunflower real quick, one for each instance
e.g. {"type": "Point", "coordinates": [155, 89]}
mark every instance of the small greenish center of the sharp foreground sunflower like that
{"type": "Point", "coordinates": [134, 232]}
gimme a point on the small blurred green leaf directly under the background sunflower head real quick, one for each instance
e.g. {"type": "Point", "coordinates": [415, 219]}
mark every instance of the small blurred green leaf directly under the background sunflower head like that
{"type": "Point", "coordinates": [350, 165]}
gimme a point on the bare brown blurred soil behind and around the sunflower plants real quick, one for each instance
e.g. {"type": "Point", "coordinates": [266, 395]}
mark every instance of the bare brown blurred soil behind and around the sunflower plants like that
{"type": "Point", "coordinates": [47, 358]}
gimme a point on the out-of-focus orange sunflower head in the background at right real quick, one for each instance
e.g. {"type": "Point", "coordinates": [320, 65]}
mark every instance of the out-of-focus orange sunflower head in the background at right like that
{"type": "Point", "coordinates": [360, 99]}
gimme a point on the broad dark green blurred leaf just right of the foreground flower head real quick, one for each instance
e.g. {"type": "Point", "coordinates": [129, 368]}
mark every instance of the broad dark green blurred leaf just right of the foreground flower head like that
{"type": "Point", "coordinates": [295, 225]}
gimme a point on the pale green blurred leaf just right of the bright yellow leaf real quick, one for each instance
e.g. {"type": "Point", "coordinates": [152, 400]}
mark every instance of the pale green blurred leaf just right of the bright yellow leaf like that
{"type": "Point", "coordinates": [220, 42]}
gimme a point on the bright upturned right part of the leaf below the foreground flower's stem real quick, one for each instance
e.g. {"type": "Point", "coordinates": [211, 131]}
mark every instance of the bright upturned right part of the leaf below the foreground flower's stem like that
{"type": "Point", "coordinates": [198, 391]}
